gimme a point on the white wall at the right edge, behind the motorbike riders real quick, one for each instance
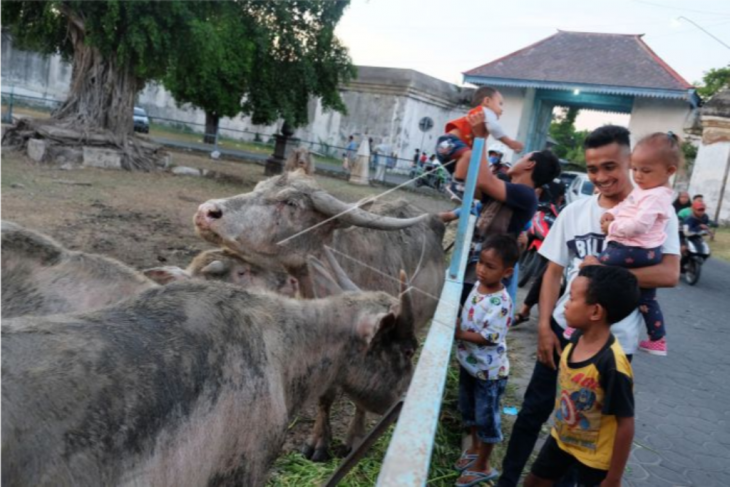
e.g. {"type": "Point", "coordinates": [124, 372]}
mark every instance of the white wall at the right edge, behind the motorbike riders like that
{"type": "Point", "coordinates": [707, 178]}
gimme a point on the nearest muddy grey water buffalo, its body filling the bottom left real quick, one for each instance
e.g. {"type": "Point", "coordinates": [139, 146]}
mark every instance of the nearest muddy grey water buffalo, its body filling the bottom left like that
{"type": "Point", "coordinates": [189, 384]}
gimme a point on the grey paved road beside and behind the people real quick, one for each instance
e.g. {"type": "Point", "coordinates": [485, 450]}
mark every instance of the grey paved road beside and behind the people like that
{"type": "Point", "coordinates": [682, 400]}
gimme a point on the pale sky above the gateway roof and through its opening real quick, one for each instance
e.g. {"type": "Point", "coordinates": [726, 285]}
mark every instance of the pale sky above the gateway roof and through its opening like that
{"type": "Point", "coordinates": [444, 39]}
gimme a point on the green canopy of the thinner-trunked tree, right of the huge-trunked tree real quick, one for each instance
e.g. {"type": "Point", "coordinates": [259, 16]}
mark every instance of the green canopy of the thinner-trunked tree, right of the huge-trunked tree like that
{"type": "Point", "coordinates": [263, 59]}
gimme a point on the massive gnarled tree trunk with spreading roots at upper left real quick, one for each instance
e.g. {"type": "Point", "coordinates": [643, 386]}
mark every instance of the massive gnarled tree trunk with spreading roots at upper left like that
{"type": "Point", "coordinates": [98, 111]}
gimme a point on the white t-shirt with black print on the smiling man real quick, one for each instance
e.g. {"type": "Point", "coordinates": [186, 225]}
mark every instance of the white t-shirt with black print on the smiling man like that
{"type": "Point", "coordinates": [577, 234]}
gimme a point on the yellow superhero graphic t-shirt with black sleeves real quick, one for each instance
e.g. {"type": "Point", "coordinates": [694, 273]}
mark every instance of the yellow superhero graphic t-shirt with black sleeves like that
{"type": "Point", "coordinates": [591, 394]}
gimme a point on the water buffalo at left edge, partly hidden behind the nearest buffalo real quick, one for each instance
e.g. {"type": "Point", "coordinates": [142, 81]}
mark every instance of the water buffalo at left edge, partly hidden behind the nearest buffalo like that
{"type": "Point", "coordinates": [41, 277]}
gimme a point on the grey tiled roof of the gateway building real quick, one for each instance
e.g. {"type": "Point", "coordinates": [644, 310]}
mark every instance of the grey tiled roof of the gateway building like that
{"type": "Point", "coordinates": [587, 59]}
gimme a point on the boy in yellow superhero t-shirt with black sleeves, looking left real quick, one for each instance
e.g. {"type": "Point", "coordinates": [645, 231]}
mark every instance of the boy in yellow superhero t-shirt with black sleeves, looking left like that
{"type": "Point", "coordinates": [594, 411]}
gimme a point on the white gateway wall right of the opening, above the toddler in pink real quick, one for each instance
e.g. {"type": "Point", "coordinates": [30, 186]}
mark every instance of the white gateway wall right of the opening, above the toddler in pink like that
{"type": "Point", "coordinates": [657, 115]}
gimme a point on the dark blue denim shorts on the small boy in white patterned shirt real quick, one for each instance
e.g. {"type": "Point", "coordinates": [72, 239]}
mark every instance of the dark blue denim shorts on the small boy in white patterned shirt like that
{"type": "Point", "coordinates": [479, 403]}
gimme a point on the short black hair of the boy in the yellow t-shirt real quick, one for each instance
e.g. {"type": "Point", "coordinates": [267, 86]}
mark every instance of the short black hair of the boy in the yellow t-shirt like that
{"type": "Point", "coordinates": [614, 288]}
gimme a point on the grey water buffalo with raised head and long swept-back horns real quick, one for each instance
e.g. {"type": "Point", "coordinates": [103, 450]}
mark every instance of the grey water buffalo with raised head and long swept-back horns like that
{"type": "Point", "coordinates": [289, 217]}
